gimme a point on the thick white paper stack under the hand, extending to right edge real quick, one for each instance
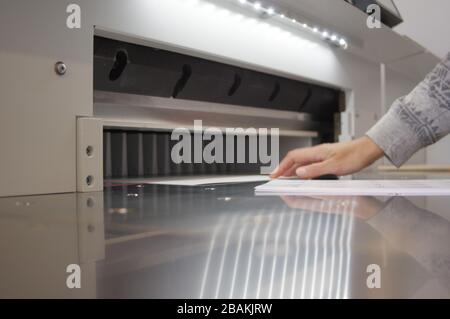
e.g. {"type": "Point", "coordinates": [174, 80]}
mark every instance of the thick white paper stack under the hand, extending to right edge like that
{"type": "Point", "coordinates": [355, 187]}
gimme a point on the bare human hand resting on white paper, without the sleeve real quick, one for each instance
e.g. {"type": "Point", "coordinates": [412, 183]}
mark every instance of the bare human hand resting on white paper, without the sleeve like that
{"type": "Point", "coordinates": [336, 159]}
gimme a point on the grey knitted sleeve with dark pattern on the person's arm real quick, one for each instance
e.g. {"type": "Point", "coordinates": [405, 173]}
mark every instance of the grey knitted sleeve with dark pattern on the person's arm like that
{"type": "Point", "coordinates": [418, 119]}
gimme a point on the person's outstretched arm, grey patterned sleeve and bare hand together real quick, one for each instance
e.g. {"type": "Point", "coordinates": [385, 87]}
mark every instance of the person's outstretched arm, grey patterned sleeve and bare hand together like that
{"type": "Point", "coordinates": [414, 121]}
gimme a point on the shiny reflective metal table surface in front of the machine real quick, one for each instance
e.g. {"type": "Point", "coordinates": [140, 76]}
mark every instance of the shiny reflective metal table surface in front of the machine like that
{"type": "Point", "coordinates": [221, 241]}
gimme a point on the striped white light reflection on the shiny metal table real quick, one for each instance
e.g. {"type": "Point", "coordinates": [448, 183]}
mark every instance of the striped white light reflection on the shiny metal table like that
{"type": "Point", "coordinates": [306, 254]}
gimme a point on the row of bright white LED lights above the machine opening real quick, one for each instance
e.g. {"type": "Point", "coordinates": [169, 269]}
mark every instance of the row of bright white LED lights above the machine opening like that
{"type": "Point", "coordinates": [334, 38]}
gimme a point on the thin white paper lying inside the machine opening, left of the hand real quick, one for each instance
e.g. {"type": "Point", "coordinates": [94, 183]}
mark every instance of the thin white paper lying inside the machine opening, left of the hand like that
{"type": "Point", "coordinates": [191, 180]}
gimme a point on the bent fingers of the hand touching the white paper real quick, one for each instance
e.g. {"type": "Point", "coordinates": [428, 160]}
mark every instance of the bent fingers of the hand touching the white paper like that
{"type": "Point", "coordinates": [297, 158]}
